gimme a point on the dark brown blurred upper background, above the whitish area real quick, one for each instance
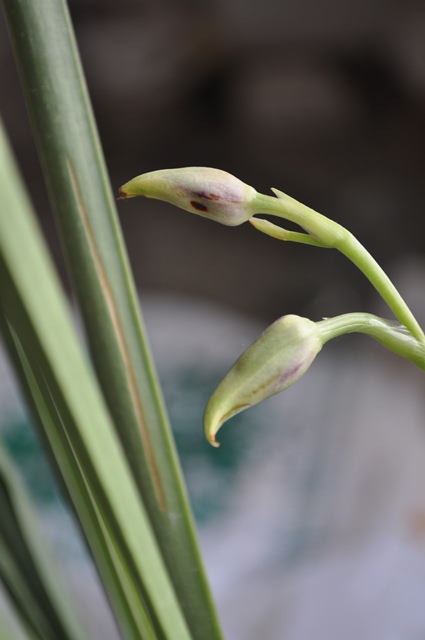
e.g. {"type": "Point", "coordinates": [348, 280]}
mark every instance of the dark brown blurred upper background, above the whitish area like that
{"type": "Point", "coordinates": [324, 100]}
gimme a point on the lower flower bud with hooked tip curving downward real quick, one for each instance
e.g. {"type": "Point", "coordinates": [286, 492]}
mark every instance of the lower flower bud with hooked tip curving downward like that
{"type": "Point", "coordinates": [277, 359]}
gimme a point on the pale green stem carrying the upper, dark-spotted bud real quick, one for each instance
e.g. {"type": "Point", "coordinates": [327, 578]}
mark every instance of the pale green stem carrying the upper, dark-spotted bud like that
{"type": "Point", "coordinates": [332, 235]}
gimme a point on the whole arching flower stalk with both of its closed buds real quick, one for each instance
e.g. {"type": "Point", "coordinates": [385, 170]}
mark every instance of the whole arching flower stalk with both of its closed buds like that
{"type": "Point", "coordinates": [286, 349]}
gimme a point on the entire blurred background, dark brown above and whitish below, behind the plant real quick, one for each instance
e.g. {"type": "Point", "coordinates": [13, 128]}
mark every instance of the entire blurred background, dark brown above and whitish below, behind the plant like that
{"type": "Point", "coordinates": [312, 514]}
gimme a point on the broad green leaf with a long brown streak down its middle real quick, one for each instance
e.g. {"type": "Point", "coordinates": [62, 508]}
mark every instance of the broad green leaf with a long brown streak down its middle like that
{"type": "Point", "coordinates": [85, 212]}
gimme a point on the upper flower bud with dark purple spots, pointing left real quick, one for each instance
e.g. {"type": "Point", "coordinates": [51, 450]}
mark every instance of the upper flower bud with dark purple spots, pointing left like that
{"type": "Point", "coordinates": [211, 193]}
